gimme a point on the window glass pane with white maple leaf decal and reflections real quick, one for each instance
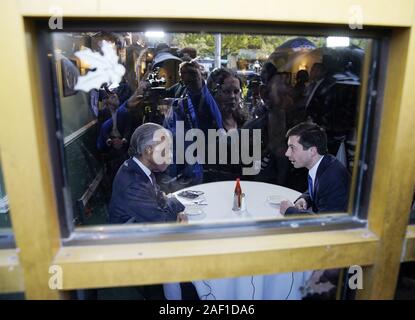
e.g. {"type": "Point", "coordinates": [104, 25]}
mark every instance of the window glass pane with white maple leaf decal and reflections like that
{"type": "Point", "coordinates": [192, 127]}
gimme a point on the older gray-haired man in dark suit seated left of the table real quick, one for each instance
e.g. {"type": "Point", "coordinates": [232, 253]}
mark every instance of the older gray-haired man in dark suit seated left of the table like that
{"type": "Point", "coordinates": [135, 193]}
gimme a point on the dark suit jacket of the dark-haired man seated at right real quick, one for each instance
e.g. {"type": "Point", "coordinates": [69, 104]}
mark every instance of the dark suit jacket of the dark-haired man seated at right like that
{"type": "Point", "coordinates": [331, 188]}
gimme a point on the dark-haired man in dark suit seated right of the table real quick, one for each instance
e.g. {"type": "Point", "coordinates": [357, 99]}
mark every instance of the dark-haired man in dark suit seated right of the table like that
{"type": "Point", "coordinates": [328, 179]}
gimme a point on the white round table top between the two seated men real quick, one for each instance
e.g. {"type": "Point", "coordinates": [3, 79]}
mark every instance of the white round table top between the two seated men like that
{"type": "Point", "coordinates": [218, 197]}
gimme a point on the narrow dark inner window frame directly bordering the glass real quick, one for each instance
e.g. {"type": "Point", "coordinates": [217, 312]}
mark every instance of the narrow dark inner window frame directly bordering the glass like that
{"type": "Point", "coordinates": [357, 211]}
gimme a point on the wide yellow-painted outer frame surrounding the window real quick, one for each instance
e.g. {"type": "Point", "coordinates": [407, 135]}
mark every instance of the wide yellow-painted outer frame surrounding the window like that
{"type": "Point", "coordinates": [393, 171]}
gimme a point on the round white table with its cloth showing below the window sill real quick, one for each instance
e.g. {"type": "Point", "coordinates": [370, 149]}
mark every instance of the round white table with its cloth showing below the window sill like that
{"type": "Point", "coordinates": [218, 197]}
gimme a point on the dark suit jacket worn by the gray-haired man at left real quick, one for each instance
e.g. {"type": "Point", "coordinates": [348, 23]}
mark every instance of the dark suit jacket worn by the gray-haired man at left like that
{"type": "Point", "coordinates": [134, 196]}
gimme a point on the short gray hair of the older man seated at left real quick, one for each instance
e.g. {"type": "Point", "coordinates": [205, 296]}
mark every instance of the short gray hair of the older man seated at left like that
{"type": "Point", "coordinates": [142, 138]}
